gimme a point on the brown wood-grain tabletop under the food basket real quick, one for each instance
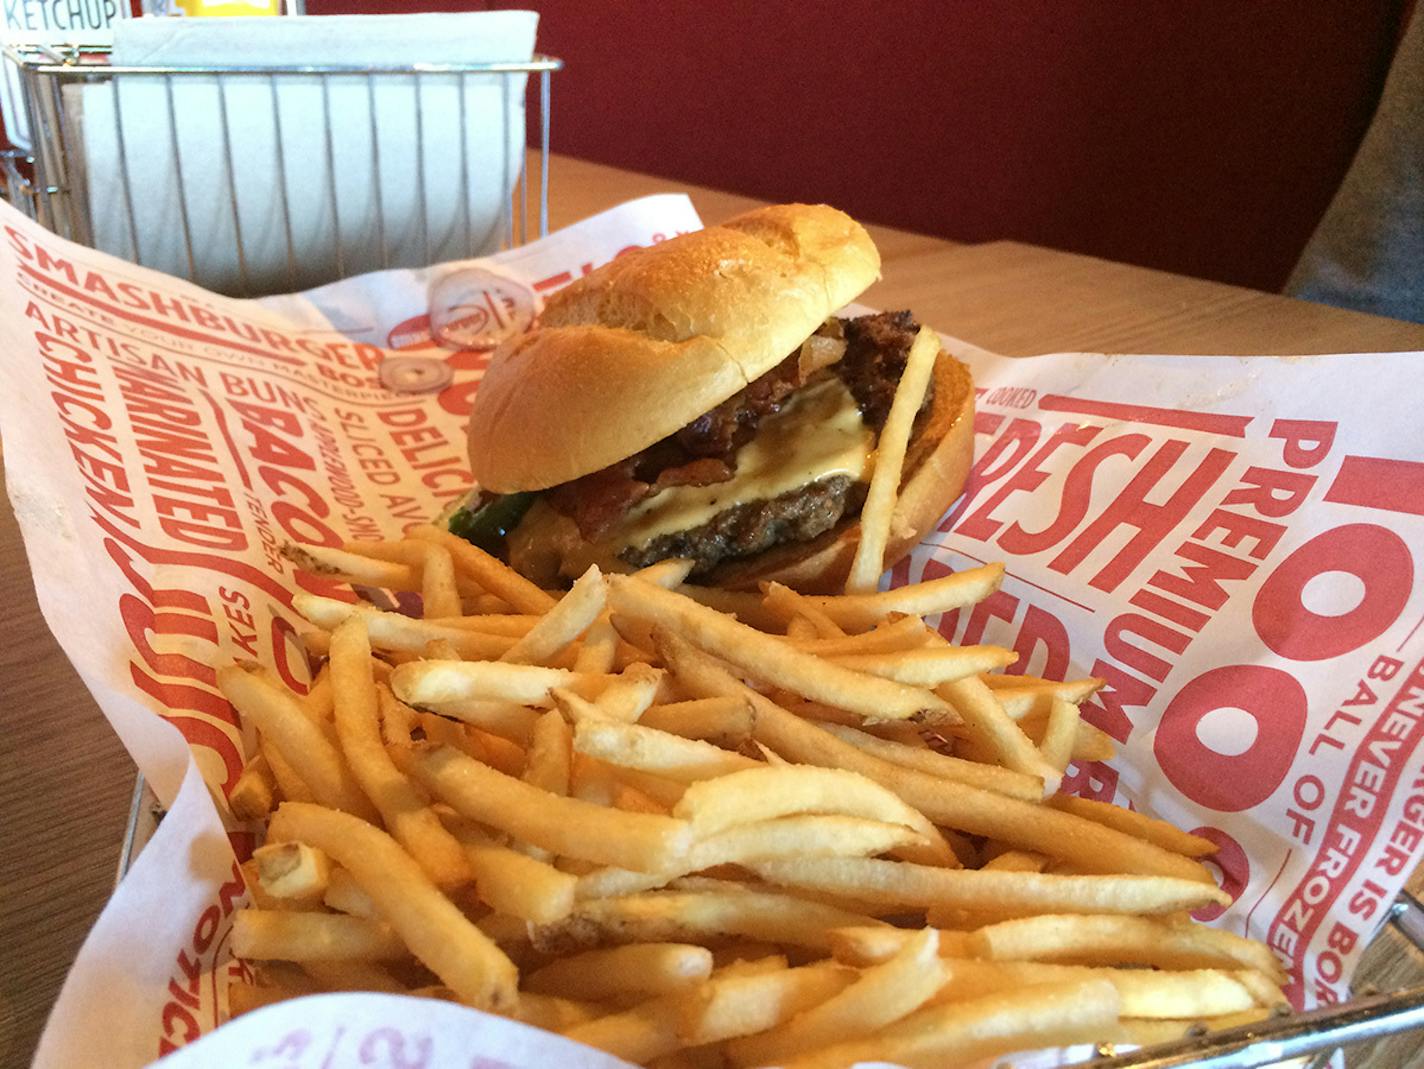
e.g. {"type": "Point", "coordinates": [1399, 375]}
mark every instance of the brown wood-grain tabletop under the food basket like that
{"type": "Point", "coordinates": [66, 782]}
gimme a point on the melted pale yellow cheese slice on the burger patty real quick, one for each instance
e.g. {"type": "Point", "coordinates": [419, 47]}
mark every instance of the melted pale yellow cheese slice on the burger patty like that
{"type": "Point", "coordinates": [817, 435]}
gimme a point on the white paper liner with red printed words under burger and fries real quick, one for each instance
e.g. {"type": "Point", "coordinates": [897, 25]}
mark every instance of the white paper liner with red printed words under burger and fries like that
{"type": "Point", "coordinates": [1231, 543]}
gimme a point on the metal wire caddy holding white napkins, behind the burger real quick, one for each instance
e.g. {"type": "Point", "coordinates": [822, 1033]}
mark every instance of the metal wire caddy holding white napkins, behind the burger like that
{"type": "Point", "coordinates": [248, 223]}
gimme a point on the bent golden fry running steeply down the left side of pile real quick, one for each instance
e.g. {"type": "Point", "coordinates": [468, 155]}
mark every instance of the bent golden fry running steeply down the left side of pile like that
{"type": "Point", "coordinates": [404, 809]}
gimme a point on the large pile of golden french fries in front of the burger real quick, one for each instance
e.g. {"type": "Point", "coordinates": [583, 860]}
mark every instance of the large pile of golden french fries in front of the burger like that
{"type": "Point", "coordinates": [706, 829]}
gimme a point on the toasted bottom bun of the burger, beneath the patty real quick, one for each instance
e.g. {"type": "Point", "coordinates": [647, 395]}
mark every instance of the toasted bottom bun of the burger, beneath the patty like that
{"type": "Point", "coordinates": [936, 468]}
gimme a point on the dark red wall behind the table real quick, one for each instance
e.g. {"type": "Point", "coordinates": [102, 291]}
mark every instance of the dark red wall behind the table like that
{"type": "Point", "coordinates": [1201, 137]}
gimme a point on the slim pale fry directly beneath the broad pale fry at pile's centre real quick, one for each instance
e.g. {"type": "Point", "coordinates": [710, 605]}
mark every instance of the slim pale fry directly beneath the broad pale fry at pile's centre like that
{"type": "Point", "coordinates": [805, 836]}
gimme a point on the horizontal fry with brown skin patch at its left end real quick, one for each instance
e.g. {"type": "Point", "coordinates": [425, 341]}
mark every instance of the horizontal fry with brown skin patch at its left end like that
{"type": "Point", "coordinates": [697, 916]}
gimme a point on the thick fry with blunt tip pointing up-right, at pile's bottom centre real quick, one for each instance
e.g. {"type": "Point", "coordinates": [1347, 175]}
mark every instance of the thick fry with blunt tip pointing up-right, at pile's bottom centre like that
{"type": "Point", "coordinates": [879, 997]}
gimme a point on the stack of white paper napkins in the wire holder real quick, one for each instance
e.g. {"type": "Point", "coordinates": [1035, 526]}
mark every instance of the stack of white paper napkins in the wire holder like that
{"type": "Point", "coordinates": [394, 146]}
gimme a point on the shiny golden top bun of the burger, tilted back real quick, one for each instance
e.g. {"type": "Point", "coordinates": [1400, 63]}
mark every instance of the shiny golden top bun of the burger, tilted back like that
{"type": "Point", "coordinates": [640, 348]}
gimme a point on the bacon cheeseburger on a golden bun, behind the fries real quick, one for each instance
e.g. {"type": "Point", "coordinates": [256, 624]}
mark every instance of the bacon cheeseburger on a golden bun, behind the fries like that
{"type": "Point", "coordinates": [703, 399]}
